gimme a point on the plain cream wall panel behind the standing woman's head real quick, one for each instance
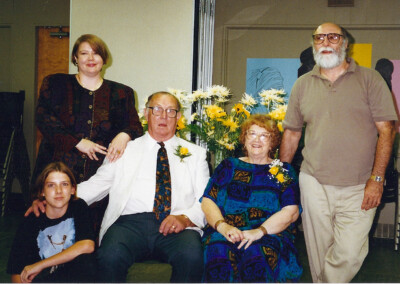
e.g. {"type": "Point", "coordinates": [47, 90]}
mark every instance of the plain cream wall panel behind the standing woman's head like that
{"type": "Point", "coordinates": [151, 41]}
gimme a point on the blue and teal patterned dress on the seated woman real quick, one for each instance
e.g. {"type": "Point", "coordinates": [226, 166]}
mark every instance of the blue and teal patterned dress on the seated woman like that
{"type": "Point", "coordinates": [247, 195]}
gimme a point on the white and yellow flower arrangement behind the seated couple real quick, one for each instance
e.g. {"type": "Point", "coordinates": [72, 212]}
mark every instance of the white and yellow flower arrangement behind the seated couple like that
{"type": "Point", "coordinates": [217, 128]}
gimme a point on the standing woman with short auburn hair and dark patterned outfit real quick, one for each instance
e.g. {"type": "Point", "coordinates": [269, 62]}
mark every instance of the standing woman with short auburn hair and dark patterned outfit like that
{"type": "Point", "coordinates": [84, 118]}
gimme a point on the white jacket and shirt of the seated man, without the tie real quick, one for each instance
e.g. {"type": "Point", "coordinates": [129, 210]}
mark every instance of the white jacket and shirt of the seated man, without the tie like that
{"type": "Point", "coordinates": [130, 181]}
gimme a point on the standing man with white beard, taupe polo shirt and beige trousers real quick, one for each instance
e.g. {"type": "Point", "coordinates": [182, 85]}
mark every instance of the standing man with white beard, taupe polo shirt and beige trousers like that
{"type": "Point", "coordinates": [349, 115]}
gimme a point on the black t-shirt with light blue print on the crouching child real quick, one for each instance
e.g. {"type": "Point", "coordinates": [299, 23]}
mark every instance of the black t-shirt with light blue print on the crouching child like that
{"type": "Point", "coordinates": [38, 238]}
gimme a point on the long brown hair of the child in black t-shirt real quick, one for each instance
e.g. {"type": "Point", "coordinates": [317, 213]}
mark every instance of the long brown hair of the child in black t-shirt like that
{"type": "Point", "coordinates": [53, 167]}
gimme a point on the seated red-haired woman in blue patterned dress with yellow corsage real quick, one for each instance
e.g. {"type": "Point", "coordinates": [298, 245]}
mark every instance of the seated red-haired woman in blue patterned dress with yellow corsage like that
{"type": "Point", "coordinates": [250, 204]}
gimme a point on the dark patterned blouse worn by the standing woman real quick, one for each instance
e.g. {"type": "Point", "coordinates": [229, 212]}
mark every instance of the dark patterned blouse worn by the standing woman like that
{"type": "Point", "coordinates": [66, 112]}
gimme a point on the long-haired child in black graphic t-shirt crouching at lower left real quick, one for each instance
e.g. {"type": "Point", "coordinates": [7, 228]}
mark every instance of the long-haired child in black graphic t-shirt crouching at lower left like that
{"type": "Point", "coordinates": [57, 246]}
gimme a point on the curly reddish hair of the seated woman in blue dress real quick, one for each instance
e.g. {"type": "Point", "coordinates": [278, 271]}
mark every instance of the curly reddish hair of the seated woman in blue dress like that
{"type": "Point", "coordinates": [266, 122]}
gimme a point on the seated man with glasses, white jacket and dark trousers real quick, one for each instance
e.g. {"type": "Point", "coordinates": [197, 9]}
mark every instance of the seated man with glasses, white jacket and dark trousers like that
{"type": "Point", "coordinates": [130, 230]}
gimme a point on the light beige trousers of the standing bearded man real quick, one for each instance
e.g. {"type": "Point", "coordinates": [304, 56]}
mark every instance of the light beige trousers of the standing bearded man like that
{"type": "Point", "coordinates": [335, 229]}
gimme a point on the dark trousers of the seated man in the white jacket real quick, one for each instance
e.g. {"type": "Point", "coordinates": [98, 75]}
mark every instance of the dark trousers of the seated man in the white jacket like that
{"type": "Point", "coordinates": [135, 237]}
